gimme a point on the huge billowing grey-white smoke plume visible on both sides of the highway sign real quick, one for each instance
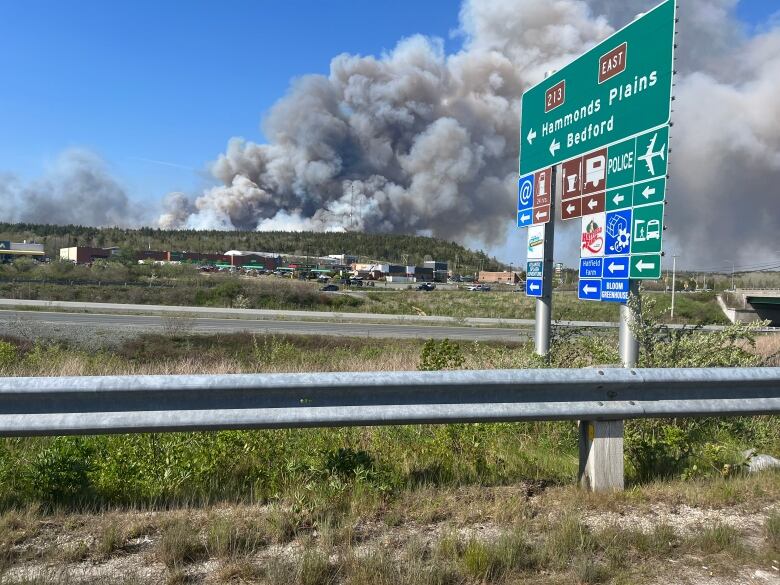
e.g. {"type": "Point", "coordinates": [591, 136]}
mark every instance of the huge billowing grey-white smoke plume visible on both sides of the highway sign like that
{"type": "Point", "coordinates": [420, 141]}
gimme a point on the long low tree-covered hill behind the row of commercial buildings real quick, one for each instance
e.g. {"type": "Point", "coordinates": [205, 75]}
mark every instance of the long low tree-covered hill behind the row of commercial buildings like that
{"type": "Point", "coordinates": [390, 247]}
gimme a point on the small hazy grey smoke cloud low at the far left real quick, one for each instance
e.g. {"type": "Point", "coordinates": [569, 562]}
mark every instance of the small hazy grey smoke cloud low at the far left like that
{"type": "Point", "coordinates": [78, 189]}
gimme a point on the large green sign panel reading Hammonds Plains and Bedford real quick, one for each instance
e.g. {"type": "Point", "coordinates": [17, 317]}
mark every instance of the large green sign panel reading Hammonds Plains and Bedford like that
{"type": "Point", "coordinates": [617, 90]}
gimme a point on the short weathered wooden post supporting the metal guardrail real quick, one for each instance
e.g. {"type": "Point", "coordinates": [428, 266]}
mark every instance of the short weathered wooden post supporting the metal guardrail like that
{"type": "Point", "coordinates": [601, 455]}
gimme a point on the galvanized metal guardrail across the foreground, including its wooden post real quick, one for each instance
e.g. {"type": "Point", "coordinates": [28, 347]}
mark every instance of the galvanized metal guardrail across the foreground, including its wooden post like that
{"type": "Point", "coordinates": [599, 398]}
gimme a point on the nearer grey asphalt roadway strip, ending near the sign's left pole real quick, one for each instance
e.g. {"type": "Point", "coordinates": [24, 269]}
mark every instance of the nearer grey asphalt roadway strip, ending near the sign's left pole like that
{"type": "Point", "coordinates": [154, 323]}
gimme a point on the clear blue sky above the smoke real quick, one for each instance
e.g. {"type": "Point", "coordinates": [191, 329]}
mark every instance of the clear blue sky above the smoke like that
{"type": "Point", "coordinates": [173, 81]}
